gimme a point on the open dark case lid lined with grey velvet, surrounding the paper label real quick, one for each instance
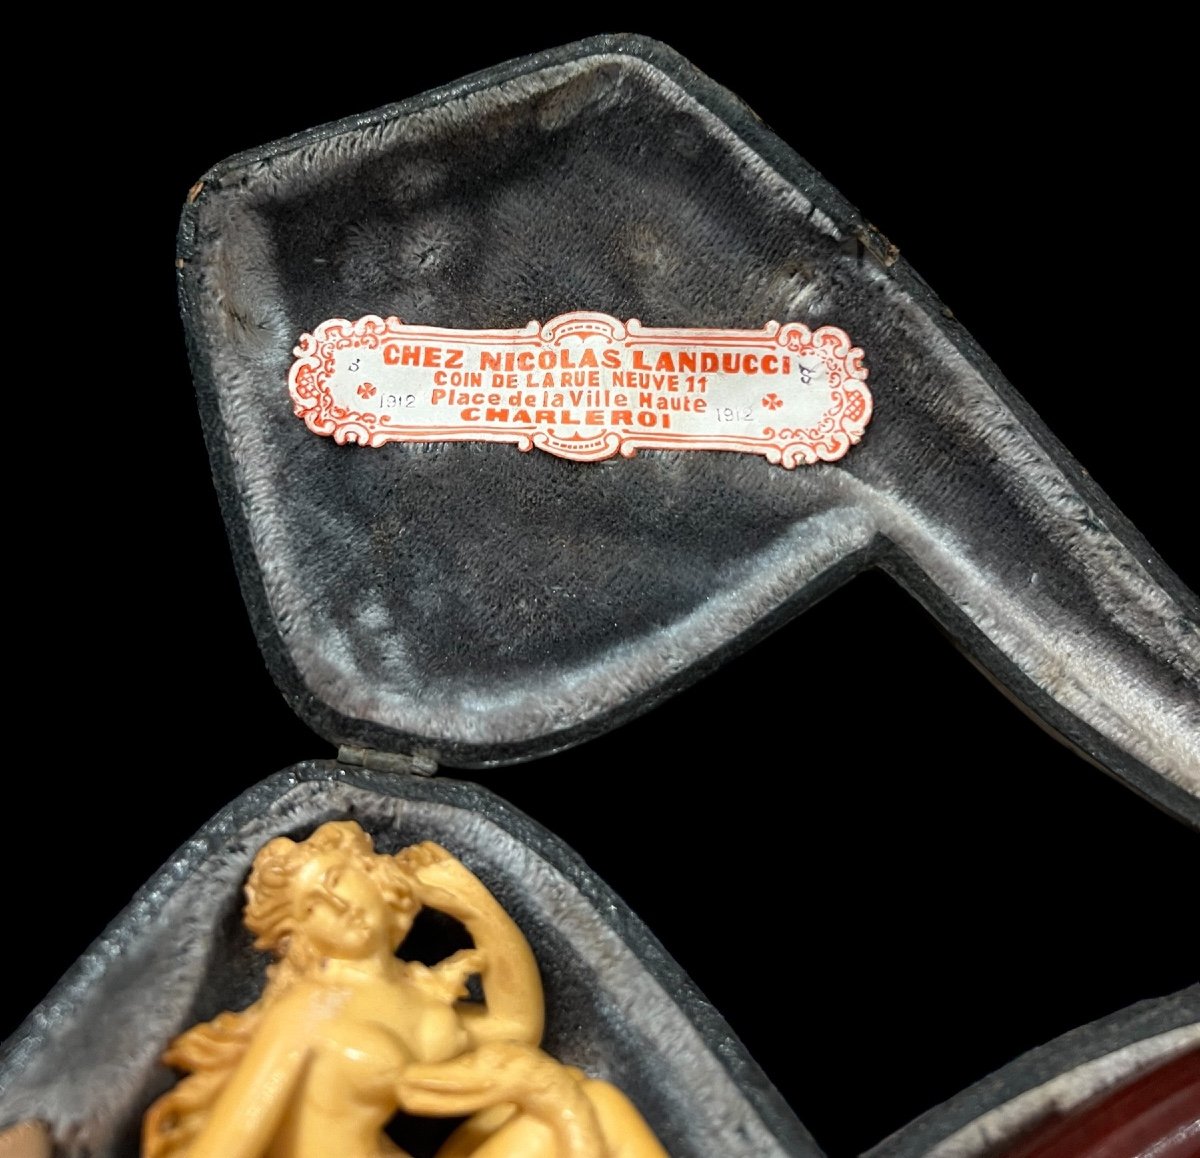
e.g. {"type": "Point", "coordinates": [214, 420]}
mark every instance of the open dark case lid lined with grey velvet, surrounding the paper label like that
{"type": "Point", "coordinates": [470, 604]}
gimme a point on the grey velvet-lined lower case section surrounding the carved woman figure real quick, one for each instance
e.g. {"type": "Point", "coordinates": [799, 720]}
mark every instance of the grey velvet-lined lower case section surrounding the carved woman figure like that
{"type": "Point", "coordinates": [87, 1059]}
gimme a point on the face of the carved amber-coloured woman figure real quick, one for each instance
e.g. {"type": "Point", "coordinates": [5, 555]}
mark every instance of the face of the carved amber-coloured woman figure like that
{"type": "Point", "coordinates": [341, 910]}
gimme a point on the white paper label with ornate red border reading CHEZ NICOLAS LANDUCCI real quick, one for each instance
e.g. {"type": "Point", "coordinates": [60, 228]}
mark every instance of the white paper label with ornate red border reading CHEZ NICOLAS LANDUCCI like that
{"type": "Point", "coordinates": [586, 387]}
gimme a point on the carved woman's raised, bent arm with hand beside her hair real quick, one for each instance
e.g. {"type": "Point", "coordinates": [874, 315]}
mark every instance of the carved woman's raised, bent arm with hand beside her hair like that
{"type": "Point", "coordinates": [514, 1009]}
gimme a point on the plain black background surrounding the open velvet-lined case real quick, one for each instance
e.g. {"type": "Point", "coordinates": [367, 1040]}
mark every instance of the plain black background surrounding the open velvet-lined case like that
{"type": "Point", "coordinates": [887, 878]}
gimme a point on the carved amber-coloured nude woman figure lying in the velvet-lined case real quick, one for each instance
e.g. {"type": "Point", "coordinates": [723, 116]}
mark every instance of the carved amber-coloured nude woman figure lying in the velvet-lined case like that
{"type": "Point", "coordinates": [346, 1034]}
